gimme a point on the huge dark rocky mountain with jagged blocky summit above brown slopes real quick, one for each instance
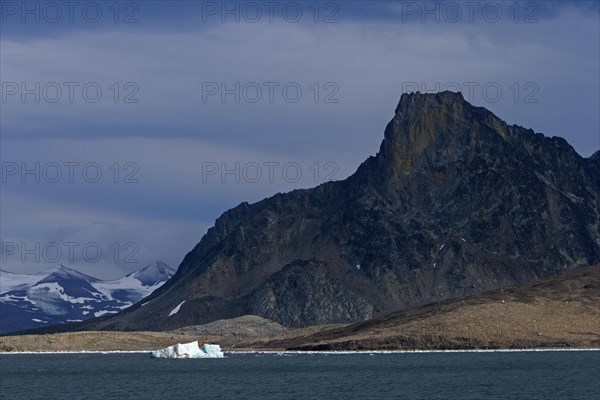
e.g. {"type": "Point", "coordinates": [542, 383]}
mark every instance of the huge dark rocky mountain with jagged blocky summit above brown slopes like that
{"type": "Point", "coordinates": [456, 202]}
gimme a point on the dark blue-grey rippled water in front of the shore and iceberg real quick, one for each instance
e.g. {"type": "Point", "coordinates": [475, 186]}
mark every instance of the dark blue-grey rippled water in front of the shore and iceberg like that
{"type": "Point", "coordinates": [477, 376]}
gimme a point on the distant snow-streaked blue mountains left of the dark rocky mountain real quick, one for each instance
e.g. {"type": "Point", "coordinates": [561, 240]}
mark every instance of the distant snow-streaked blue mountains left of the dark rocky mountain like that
{"type": "Point", "coordinates": [60, 295]}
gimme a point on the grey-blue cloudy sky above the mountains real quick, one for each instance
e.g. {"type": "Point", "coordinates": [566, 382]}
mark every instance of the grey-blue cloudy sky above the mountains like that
{"type": "Point", "coordinates": [127, 128]}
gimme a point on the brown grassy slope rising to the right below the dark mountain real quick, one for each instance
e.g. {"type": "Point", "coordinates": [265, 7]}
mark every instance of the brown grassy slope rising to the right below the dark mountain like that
{"type": "Point", "coordinates": [558, 312]}
